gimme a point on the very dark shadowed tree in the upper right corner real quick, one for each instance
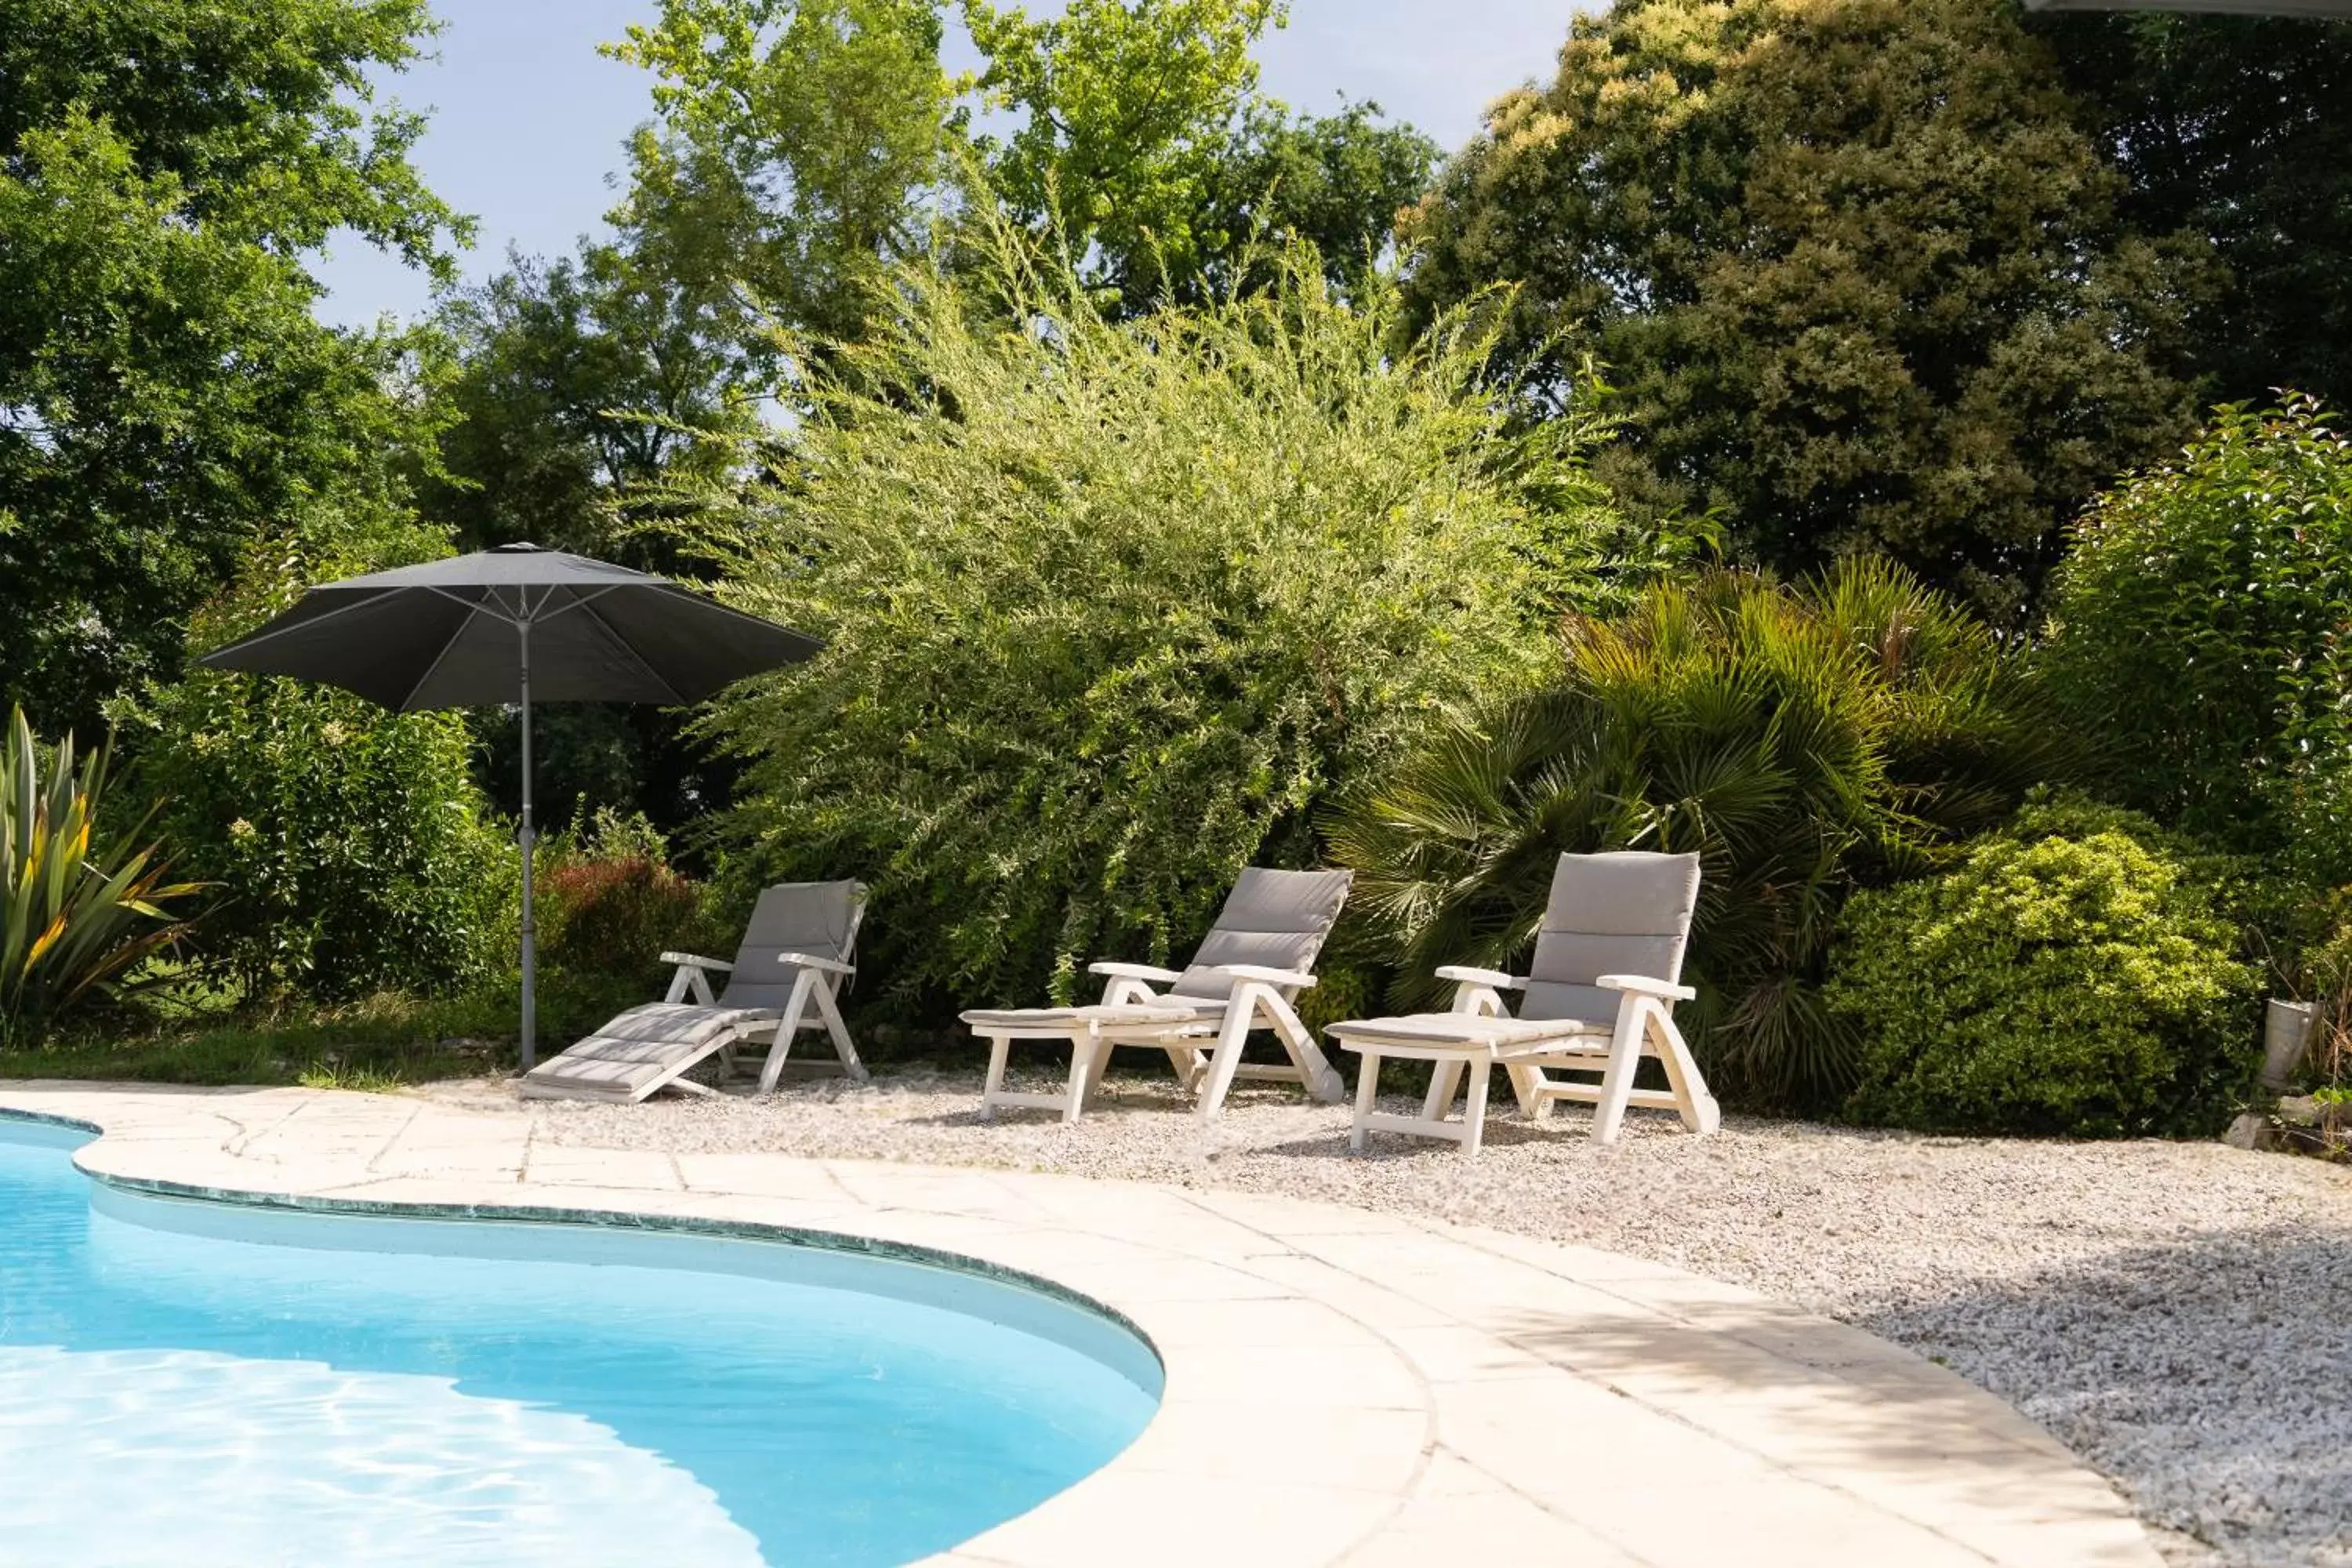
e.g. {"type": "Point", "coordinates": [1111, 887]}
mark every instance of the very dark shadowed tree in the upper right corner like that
{"type": "Point", "coordinates": [2236, 128]}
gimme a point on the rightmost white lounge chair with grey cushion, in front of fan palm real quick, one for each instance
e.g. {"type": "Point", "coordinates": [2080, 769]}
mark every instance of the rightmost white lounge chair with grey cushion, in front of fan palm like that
{"type": "Point", "coordinates": [1596, 1003]}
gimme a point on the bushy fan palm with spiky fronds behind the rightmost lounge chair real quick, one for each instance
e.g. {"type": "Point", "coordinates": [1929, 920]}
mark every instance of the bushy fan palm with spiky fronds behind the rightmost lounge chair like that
{"type": "Point", "coordinates": [1805, 742]}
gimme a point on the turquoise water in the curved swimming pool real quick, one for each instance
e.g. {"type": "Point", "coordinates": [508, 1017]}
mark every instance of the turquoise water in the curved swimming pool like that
{"type": "Point", "coordinates": [203, 1383]}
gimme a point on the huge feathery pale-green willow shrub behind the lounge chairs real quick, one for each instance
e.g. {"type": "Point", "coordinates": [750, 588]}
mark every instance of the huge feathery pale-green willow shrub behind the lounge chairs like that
{"type": "Point", "coordinates": [1111, 608]}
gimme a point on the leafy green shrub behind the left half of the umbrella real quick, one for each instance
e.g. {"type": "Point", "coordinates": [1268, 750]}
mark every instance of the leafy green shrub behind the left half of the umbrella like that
{"type": "Point", "coordinates": [352, 847]}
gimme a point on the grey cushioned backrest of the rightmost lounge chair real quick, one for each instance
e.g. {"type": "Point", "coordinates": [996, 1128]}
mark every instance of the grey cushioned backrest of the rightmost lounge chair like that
{"type": "Point", "coordinates": [1624, 913]}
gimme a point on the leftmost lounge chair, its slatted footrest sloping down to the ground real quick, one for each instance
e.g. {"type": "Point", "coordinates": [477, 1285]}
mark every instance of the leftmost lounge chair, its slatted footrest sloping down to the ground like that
{"type": "Point", "coordinates": [787, 977]}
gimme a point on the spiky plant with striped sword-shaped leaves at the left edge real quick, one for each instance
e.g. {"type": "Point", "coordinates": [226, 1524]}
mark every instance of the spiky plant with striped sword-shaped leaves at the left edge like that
{"type": "Point", "coordinates": [81, 906]}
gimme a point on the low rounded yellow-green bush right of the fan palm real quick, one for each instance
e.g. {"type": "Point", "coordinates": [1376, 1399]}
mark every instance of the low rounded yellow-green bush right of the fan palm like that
{"type": "Point", "coordinates": [2076, 974]}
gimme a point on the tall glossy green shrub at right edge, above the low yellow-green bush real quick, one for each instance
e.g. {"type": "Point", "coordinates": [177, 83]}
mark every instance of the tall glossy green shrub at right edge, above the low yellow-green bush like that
{"type": "Point", "coordinates": [2200, 626]}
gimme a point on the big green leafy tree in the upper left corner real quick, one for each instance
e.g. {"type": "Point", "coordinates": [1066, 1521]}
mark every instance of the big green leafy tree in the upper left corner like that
{"type": "Point", "coordinates": [166, 394]}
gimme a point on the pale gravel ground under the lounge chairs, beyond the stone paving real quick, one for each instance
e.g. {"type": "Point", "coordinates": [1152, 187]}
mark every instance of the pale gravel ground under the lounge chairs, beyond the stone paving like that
{"type": "Point", "coordinates": [2177, 1313]}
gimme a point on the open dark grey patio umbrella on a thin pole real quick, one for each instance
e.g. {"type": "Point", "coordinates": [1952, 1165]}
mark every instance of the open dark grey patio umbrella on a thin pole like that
{"type": "Point", "coordinates": [516, 624]}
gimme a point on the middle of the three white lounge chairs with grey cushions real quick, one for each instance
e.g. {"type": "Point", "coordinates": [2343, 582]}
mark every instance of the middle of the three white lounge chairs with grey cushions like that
{"type": "Point", "coordinates": [1248, 974]}
